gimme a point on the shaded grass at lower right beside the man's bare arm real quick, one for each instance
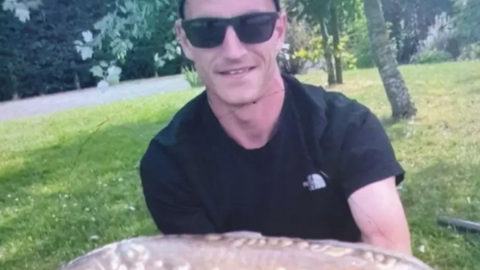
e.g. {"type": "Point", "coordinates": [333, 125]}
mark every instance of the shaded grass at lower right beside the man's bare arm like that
{"type": "Point", "coordinates": [444, 189]}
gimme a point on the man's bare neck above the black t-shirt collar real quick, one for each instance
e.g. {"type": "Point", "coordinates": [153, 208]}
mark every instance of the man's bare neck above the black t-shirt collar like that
{"type": "Point", "coordinates": [252, 125]}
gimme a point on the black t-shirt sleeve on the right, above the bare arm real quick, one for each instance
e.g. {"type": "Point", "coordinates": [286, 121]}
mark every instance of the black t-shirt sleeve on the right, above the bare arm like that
{"type": "Point", "coordinates": [367, 155]}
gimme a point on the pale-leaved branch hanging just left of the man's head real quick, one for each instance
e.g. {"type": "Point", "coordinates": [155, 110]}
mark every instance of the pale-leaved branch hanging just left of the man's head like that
{"type": "Point", "coordinates": [134, 20]}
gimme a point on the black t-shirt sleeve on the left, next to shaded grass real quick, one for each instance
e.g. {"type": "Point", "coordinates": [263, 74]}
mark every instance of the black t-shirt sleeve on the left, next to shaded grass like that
{"type": "Point", "coordinates": [171, 202]}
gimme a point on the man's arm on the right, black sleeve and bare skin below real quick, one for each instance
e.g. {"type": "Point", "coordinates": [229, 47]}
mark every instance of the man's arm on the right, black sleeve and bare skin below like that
{"type": "Point", "coordinates": [370, 175]}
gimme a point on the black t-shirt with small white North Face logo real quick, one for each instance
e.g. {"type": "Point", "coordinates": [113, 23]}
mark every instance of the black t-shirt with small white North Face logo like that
{"type": "Point", "coordinates": [196, 179]}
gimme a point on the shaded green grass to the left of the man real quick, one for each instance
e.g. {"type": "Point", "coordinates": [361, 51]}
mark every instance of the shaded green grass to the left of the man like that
{"type": "Point", "coordinates": [62, 195]}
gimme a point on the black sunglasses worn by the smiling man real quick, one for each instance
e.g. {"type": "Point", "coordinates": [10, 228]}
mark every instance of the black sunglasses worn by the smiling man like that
{"type": "Point", "coordinates": [252, 28]}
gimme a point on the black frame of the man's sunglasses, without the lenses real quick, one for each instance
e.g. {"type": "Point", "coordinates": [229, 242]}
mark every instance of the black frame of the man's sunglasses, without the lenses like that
{"type": "Point", "coordinates": [235, 22]}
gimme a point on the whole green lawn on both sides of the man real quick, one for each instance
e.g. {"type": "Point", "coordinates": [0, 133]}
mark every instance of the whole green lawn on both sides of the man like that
{"type": "Point", "coordinates": [69, 181]}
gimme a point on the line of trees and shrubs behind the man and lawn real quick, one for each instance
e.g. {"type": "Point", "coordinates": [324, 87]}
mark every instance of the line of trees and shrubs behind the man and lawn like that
{"type": "Point", "coordinates": [51, 46]}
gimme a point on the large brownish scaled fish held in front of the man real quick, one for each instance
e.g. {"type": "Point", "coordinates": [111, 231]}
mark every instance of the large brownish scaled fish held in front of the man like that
{"type": "Point", "coordinates": [241, 251]}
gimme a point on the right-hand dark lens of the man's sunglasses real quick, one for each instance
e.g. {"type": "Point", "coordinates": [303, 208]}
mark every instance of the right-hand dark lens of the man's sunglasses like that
{"type": "Point", "coordinates": [256, 28]}
